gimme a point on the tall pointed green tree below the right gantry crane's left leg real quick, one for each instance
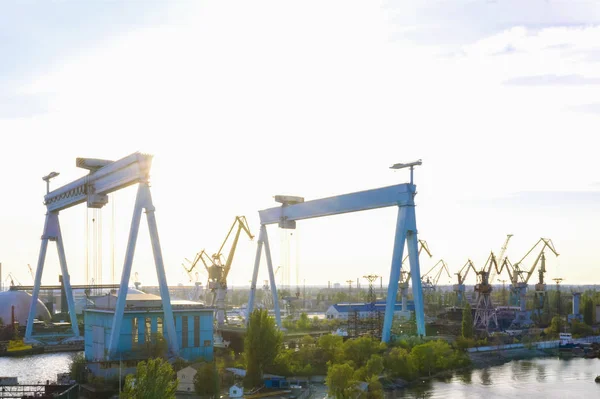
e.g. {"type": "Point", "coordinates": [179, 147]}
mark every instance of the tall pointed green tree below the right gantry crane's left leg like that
{"type": "Point", "coordinates": [261, 346]}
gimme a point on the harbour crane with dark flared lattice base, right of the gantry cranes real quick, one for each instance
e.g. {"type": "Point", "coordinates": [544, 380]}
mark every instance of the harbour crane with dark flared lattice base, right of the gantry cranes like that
{"type": "Point", "coordinates": [485, 313]}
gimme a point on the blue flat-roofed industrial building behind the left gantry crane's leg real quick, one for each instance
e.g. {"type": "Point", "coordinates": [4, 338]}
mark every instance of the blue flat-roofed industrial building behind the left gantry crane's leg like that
{"type": "Point", "coordinates": [142, 327]}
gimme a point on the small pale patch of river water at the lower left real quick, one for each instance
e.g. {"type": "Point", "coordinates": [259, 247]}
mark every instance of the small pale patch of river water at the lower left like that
{"type": "Point", "coordinates": [37, 368]}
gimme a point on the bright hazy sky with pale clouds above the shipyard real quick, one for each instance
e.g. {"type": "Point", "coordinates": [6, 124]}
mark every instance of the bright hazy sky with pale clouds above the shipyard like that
{"type": "Point", "coordinates": [240, 101]}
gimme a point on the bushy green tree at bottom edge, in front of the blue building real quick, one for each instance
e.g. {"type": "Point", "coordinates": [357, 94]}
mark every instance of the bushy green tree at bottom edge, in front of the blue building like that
{"type": "Point", "coordinates": [153, 379]}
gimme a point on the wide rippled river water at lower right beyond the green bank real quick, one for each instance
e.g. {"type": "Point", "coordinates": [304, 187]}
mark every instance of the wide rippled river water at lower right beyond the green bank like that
{"type": "Point", "coordinates": [535, 378]}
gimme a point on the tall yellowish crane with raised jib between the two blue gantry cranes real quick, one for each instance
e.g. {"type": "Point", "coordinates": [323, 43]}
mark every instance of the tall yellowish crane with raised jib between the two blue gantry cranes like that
{"type": "Point", "coordinates": [218, 272]}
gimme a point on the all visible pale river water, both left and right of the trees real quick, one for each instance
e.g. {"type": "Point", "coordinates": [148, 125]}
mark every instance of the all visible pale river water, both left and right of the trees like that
{"type": "Point", "coordinates": [536, 378]}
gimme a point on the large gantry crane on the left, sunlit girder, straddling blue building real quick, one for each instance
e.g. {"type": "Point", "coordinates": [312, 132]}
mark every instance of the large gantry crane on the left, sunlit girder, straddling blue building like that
{"type": "Point", "coordinates": [104, 178]}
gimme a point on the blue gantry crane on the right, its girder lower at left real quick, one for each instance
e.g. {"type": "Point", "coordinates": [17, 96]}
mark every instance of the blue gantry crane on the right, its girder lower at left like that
{"type": "Point", "coordinates": [401, 195]}
